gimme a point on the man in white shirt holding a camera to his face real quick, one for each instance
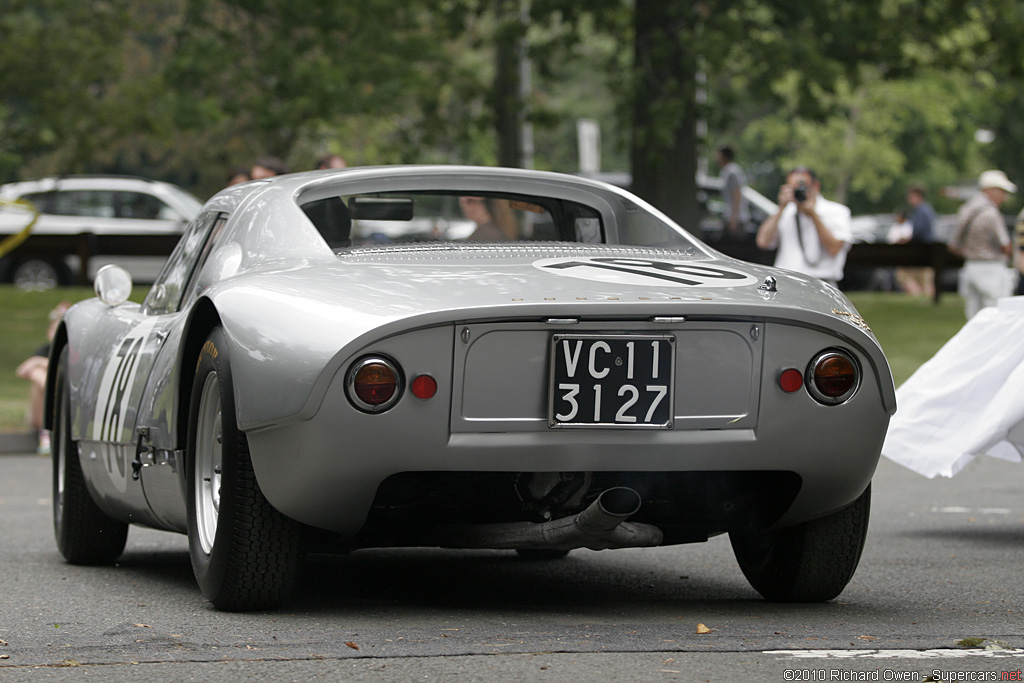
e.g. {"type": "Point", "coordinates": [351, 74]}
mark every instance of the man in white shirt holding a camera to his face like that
{"type": "Point", "coordinates": [813, 234]}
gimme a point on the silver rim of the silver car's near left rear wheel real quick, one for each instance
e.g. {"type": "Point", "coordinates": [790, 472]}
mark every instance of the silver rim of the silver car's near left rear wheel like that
{"type": "Point", "coordinates": [209, 438]}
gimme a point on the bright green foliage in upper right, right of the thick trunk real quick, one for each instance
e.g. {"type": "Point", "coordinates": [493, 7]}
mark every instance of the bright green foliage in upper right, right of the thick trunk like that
{"type": "Point", "coordinates": [906, 114]}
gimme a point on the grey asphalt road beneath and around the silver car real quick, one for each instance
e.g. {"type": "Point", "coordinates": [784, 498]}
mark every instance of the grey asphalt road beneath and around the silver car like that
{"type": "Point", "coordinates": [944, 564]}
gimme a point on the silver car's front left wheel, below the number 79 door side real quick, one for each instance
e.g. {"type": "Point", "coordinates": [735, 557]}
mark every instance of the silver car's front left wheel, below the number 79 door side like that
{"type": "Point", "coordinates": [86, 535]}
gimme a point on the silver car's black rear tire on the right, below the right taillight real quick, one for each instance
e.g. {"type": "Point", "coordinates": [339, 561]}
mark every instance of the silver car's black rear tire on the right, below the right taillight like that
{"type": "Point", "coordinates": [810, 563]}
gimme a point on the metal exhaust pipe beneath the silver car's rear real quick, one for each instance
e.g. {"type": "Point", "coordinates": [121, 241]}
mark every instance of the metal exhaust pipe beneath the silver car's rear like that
{"type": "Point", "coordinates": [603, 526]}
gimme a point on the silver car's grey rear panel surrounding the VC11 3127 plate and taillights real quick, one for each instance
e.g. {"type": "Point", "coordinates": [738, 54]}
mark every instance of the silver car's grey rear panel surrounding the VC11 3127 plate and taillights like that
{"type": "Point", "coordinates": [326, 472]}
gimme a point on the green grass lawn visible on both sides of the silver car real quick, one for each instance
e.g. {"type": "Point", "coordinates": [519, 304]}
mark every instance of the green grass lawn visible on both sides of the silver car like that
{"type": "Point", "coordinates": [910, 330]}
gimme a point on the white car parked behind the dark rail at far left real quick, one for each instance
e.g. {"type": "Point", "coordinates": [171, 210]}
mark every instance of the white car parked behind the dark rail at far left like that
{"type": "Point", "coordinates": [74, 208]}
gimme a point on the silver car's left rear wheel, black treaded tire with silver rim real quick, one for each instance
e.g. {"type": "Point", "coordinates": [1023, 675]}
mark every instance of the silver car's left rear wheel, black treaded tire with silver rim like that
{"type": "Point", "coordinates": [245, 554]}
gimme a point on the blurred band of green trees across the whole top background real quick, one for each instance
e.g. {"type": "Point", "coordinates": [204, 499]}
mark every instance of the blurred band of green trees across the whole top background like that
{"type": "Point", "coordinates": [875, 95]}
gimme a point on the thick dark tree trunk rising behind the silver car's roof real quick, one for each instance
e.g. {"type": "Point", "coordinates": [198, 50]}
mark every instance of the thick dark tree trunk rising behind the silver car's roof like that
{"type": "Point", "coordinates": [664, 154]}
